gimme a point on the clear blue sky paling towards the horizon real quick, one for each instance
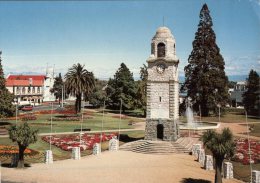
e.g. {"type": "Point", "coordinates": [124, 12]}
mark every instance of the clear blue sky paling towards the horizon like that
{"type": "Point", "coordinates": [102, 34]}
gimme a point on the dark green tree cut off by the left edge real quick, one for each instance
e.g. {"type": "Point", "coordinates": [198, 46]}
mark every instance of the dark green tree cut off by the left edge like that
{"type": "Point", "coordinates": [6, 98]}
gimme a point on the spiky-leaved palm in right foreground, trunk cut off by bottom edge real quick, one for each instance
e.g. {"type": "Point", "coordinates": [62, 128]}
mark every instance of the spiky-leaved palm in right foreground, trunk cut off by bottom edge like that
{"type": "Point", "coordinates": [221, 145]}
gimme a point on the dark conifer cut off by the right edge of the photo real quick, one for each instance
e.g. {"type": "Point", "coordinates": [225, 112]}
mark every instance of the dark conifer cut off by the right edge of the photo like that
{"type": "Point", "coordinates": [251, 96]}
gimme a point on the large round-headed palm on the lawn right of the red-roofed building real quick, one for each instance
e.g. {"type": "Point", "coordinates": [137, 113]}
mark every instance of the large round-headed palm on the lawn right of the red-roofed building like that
{"type": "Point", "coordinates": [79, 82]}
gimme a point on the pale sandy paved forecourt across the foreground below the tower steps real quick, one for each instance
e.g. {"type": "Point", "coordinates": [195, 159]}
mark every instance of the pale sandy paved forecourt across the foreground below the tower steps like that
{"type": "Point", "coordinates": [115, 167]}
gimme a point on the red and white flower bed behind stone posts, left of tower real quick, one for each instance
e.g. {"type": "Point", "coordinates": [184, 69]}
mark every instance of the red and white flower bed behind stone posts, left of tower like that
{"type": "Point", "coordinates": [67, 142]}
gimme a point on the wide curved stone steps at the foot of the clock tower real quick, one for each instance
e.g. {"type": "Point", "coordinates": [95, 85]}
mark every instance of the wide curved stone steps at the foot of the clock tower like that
{"type": "Point", "coordinates": [154, 147]}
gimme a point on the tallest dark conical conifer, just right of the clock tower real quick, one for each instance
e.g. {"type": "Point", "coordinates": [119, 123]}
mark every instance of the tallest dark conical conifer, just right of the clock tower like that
{"type": "Point", "coordinates": [206, 81]}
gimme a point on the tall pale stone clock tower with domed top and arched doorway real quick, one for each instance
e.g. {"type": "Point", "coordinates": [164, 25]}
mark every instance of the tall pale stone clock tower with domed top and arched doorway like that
{"type": "Point", "coordinates": [162, 88]}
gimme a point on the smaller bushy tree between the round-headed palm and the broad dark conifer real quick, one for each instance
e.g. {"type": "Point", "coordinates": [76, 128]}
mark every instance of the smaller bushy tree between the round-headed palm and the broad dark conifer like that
{"type": "Point", "coordinates": [98, 96]}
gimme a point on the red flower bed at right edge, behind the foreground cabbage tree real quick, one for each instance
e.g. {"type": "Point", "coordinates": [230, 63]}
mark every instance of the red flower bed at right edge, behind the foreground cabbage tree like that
{"type": "Point", "coordinates": [242, 153]}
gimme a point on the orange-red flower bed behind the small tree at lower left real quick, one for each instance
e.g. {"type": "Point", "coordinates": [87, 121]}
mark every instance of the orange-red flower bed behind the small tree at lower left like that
{"type": "Point", "coordinates": [6, 150]}
